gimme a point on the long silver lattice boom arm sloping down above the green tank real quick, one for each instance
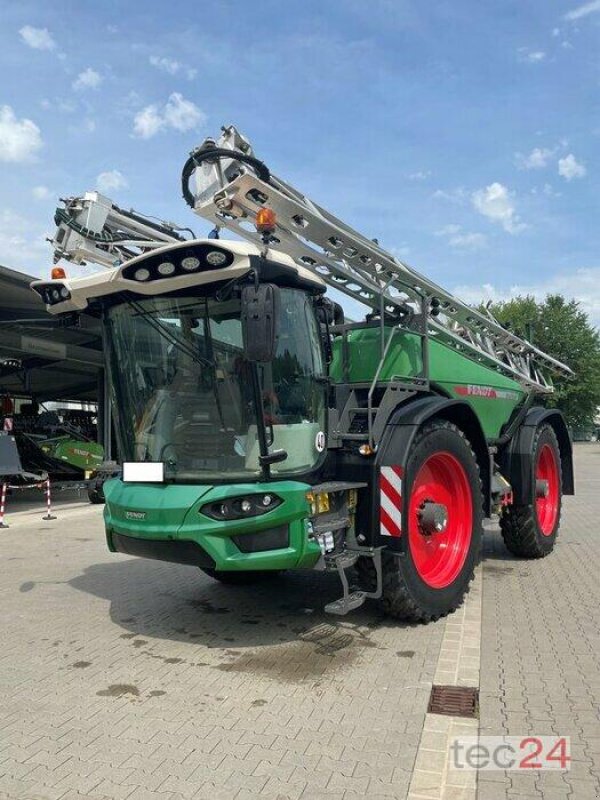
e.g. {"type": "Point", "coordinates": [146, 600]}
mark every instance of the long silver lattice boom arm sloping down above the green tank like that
{"type": "Point", "coordinates": [231, 185]}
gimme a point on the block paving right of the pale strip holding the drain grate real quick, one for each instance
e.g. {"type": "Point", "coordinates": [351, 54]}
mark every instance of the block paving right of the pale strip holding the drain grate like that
{"type": "Point", "coordinates": [540, 667]}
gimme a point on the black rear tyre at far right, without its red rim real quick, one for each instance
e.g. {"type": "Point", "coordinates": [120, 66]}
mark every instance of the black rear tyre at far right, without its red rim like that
{"type": "Point", "coordinates": [520, 525]}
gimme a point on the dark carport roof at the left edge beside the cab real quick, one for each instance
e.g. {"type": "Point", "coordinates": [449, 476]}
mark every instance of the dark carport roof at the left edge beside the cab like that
{"type": "Point", "coordinates": [58, 361]}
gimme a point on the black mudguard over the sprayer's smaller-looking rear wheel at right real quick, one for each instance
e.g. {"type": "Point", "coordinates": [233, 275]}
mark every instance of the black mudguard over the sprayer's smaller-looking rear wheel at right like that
{"type": "Point", "coordinates": [516, 461]}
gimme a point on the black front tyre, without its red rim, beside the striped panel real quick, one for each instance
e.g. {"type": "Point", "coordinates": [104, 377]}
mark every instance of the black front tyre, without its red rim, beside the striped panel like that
{"type": "Point", "coordinates": [406, 595]}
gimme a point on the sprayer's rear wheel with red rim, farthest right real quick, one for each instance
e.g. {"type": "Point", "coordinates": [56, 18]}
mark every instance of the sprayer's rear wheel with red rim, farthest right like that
{"type": "Point", "coordinates": [530, 531]}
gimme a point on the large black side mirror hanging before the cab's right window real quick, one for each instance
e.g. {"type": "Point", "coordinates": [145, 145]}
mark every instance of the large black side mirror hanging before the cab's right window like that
{"type": "Point", "coordinates": [260, 314]}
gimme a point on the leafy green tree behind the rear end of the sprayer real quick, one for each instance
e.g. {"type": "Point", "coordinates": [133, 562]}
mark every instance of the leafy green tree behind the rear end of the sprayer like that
{"type": "Point", "coordinates": [560, 328]}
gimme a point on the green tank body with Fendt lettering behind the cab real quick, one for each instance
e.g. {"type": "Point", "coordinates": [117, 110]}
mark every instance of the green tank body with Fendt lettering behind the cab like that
{"type": "Point", "coordinates": [492, 396]}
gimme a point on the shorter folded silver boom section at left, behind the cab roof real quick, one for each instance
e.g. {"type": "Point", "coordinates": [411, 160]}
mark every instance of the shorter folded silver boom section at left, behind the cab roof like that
{"type": "Point", "coordinates": [91, 228]}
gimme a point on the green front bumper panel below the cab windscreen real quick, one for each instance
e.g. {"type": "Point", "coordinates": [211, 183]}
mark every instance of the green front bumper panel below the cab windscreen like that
{"type": "Point", "coordinates": [172, 512]}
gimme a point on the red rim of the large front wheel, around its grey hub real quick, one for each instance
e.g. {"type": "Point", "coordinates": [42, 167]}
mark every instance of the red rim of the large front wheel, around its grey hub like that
{"type": "Point", "coordinates": [439, 557]}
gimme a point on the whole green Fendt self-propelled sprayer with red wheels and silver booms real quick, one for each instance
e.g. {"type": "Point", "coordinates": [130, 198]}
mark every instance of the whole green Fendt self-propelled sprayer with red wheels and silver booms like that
{"type": "Point", "coordinates": [261, 431]}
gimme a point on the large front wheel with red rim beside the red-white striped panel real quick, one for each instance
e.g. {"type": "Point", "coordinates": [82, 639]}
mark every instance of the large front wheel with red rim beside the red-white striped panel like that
{"type": "Point", "coordinates": [441, 536]}
